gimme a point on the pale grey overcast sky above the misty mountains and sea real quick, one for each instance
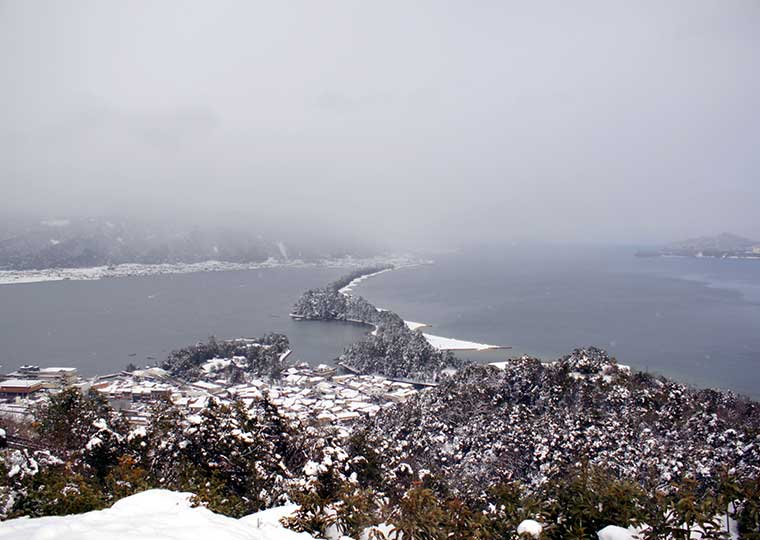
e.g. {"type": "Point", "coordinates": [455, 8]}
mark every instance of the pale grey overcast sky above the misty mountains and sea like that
{"type": "Point", "coordinates": [633, 121]}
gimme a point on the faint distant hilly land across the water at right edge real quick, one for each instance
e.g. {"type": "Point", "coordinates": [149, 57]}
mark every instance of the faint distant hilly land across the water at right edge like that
{"type": "Point", "coordinates": [722, 246]}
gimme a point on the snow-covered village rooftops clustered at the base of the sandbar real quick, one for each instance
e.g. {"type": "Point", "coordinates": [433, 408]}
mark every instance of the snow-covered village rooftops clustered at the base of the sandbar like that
{"type": "Point", "coordinates": [319, 394]}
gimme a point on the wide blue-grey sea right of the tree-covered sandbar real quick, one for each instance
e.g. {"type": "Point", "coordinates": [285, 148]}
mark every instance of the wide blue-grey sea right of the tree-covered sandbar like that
{"type": "Point", "coordinates": [695, 320]}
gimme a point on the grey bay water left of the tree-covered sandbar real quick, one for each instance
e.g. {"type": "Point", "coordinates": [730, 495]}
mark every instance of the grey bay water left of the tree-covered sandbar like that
{"type": "Point", "coordinates": [98, 325]}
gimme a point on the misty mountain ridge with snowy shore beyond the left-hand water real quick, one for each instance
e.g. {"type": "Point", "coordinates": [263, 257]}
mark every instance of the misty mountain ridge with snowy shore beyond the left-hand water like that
{"type": "Point", "coordinates": [89, 242]}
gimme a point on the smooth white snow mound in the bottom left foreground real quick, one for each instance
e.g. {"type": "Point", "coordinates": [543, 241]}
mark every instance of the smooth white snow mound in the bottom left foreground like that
{"type": "Point", "coordinates": [155, 514]}
